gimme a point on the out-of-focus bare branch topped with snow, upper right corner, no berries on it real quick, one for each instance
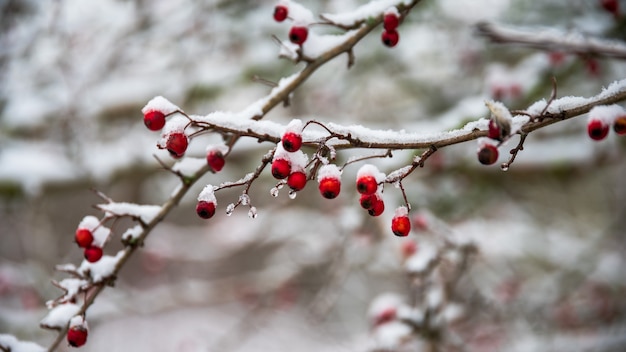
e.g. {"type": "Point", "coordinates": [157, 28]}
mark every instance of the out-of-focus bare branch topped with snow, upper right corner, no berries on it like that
{"type": "Point", "coordinates": [553, 40]}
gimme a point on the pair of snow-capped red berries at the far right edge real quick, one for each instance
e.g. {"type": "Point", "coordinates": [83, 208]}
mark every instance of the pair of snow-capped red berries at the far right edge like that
{"type": "Point", "coordinates": [602, 117]}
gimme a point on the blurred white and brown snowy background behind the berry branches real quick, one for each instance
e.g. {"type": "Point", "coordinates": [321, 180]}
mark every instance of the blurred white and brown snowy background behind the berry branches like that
{"type": "Point", "coordinates": [551, 232]}
